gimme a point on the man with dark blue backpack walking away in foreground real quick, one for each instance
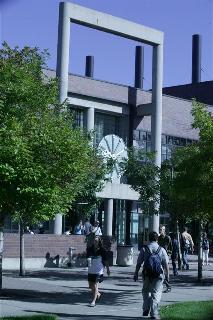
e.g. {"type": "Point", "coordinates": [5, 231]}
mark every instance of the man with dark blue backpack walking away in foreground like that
{"type": "Point", "coordinates": [155, 263]}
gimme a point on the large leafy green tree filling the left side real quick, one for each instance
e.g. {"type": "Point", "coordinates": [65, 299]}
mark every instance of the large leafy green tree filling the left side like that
{"type": "Point", "coordinates": [45, 163]}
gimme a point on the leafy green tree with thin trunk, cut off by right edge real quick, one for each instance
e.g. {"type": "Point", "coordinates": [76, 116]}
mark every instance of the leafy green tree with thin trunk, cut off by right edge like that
{"type": "Point", "coordinates": [190, 190]}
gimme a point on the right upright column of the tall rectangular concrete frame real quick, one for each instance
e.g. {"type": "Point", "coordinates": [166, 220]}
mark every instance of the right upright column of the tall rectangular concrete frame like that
{"type": "Point", "coordinates": [156, 119]}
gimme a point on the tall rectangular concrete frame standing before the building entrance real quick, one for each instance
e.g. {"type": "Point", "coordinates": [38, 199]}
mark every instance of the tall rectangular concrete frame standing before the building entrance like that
{"type": "Point", "coordinates": [68, 13]}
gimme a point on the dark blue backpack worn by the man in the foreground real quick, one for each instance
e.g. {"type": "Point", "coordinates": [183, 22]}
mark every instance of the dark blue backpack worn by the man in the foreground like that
{"type": "Point", "coordinates": [152, 265]}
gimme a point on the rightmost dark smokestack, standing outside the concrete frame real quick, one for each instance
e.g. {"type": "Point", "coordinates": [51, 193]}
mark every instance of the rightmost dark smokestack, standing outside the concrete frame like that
{"type": "Point", "coordinates": [196, 58]}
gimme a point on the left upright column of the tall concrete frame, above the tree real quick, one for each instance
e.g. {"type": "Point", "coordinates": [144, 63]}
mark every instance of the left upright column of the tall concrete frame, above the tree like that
{"type": "Point", "coordinates": [63, 50]}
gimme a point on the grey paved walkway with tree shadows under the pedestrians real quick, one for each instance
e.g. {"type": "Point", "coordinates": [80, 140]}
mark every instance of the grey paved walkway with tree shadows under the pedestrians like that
{"type": "Point", "coordinates": [64, 292]}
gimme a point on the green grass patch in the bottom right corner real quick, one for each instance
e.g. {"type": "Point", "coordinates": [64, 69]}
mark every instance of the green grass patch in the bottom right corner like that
{"type": "Point", "coordinates": [202, 310]}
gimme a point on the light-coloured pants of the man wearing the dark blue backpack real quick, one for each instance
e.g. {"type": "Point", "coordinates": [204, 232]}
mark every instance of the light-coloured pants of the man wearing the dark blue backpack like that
{"type": "Point", "coordinates": [151, 292]}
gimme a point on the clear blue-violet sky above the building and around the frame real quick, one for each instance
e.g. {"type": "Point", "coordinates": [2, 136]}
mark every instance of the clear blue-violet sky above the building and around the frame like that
{"type": "Point", "coordinates": [35, 23]}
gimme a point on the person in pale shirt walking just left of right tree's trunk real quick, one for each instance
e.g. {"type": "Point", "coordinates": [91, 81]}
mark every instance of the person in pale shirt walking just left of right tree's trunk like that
{"type": "Point", "coordinates": [187, 244]}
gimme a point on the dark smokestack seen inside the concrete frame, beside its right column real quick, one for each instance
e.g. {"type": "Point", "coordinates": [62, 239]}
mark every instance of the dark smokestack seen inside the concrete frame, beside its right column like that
{"type": "Point", "coordinates": [139, 66]}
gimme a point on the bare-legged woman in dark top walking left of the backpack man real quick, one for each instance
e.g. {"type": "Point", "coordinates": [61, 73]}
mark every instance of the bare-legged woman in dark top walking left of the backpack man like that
{"type": "Point", "coordinates": [98, 260]}
